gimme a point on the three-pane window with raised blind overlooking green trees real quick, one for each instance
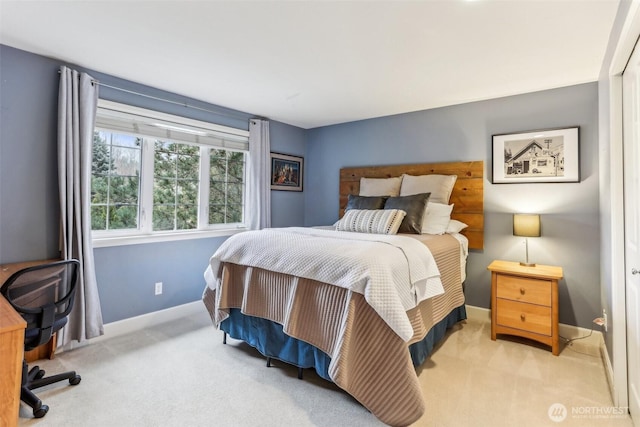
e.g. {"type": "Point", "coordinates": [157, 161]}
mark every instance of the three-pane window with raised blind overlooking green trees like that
{"type": "Point", "coordinates": [159, 175]}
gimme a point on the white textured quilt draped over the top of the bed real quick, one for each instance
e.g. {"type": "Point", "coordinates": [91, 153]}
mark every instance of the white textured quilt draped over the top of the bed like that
{"type": "Point", "coordinates": [394, 273]}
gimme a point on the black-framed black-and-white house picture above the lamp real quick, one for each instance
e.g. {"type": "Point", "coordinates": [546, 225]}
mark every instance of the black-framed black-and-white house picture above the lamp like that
{"type": "Point", "coordinates": [550, 155]}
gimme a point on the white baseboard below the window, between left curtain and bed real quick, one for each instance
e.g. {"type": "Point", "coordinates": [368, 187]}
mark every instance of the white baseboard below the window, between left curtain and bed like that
{"type": "Point", "coordinates": [133, 324]}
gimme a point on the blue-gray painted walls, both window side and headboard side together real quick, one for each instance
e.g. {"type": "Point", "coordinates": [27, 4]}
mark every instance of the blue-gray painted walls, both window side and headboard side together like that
{"type": "Point", "coordinates": [28, 185]}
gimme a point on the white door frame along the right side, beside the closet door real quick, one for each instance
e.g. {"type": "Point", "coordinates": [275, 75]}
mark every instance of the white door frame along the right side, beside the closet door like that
{"type": "Point", "coordinates": [624, 48]}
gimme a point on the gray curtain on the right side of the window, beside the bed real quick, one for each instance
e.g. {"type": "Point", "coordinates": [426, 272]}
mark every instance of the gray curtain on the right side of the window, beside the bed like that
{"type": "Point", "coordinates": [259, 176]}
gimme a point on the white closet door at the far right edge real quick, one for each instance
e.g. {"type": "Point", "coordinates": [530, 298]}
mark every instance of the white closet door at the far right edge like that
{"type": "Point", "coordinates": [631, 119]}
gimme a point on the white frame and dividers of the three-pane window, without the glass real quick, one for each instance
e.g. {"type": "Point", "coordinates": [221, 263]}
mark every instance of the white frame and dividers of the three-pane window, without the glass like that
{"type": "Point", "coordinates": [166, 126]}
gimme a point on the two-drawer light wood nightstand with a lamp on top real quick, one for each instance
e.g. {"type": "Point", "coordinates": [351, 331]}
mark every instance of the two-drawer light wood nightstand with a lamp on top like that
{"type": "Point", "coordinates": [524, 301]}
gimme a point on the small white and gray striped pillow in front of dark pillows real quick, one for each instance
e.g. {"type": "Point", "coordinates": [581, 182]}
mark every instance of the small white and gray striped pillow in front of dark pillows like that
{"type": "Point", "coordinates": [375, 221]}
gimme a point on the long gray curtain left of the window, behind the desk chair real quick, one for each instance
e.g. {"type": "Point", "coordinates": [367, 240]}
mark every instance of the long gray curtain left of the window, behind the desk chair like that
{"type": "Point", "coordinates": [77, 103]}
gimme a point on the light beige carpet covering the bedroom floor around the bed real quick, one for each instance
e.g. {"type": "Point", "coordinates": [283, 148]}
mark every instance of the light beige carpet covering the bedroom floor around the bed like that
{"type": "Point", "coordinates": [180, 374]}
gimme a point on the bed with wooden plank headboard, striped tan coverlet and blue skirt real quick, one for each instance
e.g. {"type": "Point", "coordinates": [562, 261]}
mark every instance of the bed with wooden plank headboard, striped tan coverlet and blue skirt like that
{"type": "Point", "coordinates": [346, 332]}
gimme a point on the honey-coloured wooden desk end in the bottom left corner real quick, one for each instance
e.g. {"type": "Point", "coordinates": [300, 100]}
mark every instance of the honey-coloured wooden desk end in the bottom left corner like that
{"type": "Point", "coordinates": [12, 327]}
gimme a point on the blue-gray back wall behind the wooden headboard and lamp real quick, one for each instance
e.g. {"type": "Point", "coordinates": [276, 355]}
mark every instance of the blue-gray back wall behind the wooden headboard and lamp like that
{"type": "Point", "coordinates": [570, 216]}
